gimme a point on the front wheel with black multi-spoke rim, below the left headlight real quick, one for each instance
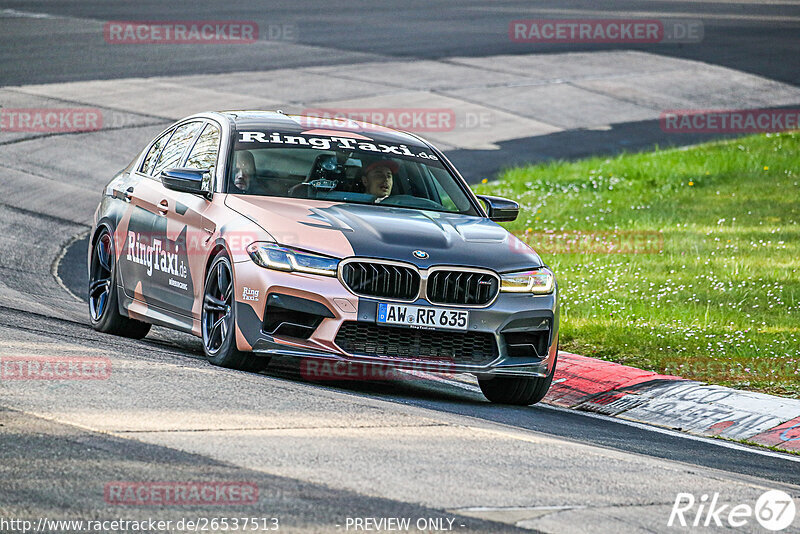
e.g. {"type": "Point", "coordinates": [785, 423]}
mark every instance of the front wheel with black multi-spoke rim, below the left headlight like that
{"type": "Point", "coordinates": [218, 320]}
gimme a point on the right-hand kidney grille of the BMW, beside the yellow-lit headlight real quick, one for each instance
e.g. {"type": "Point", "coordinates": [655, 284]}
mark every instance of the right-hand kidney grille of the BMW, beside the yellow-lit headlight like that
{"type": "Point", "coordinates": [462, 287]}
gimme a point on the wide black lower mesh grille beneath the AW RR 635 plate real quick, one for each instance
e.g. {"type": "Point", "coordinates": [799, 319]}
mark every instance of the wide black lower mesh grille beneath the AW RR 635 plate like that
{"type": "Point", "coordinates": [475, 348]}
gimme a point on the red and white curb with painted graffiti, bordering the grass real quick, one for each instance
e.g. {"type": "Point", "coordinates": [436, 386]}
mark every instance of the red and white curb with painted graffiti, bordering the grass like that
{"type": "Point", "coordinates": [608, 388]}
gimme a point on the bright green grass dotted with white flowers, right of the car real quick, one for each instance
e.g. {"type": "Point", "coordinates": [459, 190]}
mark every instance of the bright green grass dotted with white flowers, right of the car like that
{"type": "Point", "coordinates": [720, 301]}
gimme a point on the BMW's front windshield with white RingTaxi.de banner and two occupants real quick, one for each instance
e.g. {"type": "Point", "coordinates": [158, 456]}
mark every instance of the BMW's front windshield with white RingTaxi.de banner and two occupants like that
{"type": "Point", "coordinates": [409, 177]}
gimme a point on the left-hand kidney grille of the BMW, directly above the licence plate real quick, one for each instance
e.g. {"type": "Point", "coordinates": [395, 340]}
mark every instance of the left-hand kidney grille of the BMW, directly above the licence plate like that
{"type": "Point", "coordinates": [381, 280]}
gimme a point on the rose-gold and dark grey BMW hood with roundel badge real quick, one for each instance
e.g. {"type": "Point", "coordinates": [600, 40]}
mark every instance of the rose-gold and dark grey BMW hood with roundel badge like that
{"type": "Point", "coordinates": [344, 230]}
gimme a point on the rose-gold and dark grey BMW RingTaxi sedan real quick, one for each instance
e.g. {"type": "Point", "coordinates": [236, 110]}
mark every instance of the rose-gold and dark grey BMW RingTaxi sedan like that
{"type": "Point", "coordinates": [268, 234]}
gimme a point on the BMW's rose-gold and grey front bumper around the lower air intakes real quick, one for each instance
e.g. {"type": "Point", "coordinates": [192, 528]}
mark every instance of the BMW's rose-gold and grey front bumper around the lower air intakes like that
{"type": "Point", "coordinates": [524, 327]}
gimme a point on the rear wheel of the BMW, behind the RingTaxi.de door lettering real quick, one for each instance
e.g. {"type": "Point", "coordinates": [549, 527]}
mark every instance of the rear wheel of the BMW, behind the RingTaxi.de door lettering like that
{"type": "Point", "coordinates": [103, 298]}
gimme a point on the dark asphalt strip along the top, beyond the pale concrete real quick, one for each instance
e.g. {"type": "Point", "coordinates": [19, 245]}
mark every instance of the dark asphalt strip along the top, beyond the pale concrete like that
{"type": "Point", "coordinates": [756, 37]}
